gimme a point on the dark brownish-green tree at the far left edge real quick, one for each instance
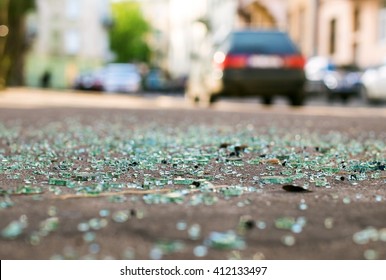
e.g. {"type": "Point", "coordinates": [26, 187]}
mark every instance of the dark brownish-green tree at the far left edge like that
{"type": "Point", "coordinates": [13, 45]}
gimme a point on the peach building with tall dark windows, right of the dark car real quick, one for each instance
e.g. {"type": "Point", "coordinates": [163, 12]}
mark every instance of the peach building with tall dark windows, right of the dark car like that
{"type": "Point", "coordinates": [347, 31]}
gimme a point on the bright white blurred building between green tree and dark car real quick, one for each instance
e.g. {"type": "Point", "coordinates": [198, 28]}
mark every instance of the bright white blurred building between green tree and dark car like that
{"type": "Point", "coordinates": [183, 31]}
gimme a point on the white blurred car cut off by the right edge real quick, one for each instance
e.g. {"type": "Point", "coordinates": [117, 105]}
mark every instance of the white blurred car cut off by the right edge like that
{"type": "Point", "coordinates": [373, 84]}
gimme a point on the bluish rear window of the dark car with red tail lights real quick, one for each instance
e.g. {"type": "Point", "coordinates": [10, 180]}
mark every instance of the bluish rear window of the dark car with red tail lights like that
{"type": "Point", "coordinates": [262, 43]}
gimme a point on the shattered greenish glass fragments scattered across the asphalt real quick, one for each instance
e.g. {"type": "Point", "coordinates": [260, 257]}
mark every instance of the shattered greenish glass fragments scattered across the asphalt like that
{"type": "Point", "coordinates": [197, 166]}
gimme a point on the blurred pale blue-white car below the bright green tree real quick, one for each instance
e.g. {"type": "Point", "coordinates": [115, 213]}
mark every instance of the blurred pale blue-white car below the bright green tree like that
{"type": "Point", "coordinates": [121, 77]}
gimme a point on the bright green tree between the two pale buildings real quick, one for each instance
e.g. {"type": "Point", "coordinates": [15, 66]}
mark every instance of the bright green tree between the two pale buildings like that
{"type": "Point", "coordinates": [127, 36]}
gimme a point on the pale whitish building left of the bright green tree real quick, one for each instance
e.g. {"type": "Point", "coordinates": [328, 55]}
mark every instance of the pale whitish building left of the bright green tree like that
{"type": "Point", "coordinates": [70, 36]}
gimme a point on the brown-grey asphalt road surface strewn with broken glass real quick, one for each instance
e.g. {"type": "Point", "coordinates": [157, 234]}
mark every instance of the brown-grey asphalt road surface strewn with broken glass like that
{"type": "Point", "coordinates": [87, 176]}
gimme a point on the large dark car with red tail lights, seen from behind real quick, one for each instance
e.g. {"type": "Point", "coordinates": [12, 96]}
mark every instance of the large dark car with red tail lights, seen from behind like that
{"type": "Point", "coordinates": [263, 63]}
